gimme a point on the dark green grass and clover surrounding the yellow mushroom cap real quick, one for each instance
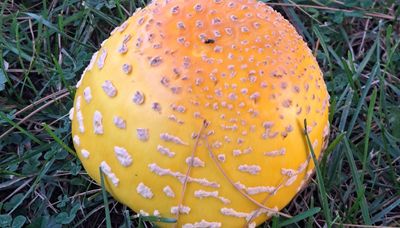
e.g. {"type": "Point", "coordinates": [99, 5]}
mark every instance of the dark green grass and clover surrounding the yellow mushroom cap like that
{"type": "Point", "coordinates": [45, 45]}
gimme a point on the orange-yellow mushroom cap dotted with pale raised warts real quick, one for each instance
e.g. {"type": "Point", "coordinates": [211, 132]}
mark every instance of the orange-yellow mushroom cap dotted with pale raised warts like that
{"type": "Point", "coordinates": [194, 110]}
